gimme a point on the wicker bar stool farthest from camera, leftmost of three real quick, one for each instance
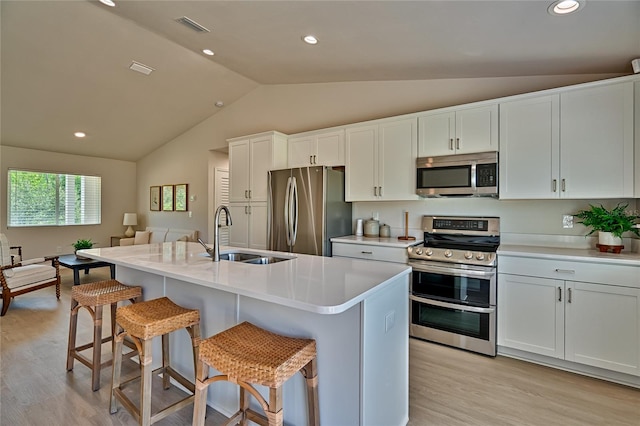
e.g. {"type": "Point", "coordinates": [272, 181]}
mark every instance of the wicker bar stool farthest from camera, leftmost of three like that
{"type": "Point", "coordinates": [93, 297]}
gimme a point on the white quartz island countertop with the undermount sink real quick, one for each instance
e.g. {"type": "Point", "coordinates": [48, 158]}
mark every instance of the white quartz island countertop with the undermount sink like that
{"type": "Point", "coordinates": [324, 285]}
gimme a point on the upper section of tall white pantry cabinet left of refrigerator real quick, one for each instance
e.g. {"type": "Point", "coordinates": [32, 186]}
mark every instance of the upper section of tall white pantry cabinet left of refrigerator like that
{"type": "Point", "coordinates": [250, 159]}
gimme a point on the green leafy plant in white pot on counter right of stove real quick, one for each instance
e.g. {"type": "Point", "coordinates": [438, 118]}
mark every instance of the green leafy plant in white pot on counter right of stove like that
{"type": "Point", "coordinates": [610, 224]}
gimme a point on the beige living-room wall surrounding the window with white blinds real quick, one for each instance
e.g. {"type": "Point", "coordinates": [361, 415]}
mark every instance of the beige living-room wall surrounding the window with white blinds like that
{"type": "Point", "coordinates": [118, 197]}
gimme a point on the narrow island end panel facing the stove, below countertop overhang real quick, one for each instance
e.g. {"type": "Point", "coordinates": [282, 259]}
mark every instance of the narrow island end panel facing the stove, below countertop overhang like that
{"type": "Point", "coordinates": [385, 355]}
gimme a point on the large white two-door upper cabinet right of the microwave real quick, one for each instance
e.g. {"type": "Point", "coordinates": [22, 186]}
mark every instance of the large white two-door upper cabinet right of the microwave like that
{"type": "Point", "coordinates": [575, 144]}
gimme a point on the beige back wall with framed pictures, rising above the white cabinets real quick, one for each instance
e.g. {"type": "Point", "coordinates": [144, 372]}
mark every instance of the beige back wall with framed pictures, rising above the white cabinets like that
{"type": "Point", "coordinates": [295, 108]}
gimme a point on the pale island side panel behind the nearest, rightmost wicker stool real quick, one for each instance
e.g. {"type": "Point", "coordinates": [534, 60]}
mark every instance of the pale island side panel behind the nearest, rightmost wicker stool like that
{"type": "Point", "coordinates": [338, 339]}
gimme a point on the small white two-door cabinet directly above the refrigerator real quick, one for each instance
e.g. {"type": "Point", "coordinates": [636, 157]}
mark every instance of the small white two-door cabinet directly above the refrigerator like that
{"type": "Point", "coordinates": [317, 149]}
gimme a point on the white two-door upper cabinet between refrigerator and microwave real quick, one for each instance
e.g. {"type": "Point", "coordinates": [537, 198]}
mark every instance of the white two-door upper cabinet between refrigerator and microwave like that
{"type": "Point", "coordinates": [380, 161]}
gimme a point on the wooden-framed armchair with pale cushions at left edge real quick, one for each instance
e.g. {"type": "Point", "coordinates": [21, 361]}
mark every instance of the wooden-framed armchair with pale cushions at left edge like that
{"type": "Point", "coordinates": [19, 276]}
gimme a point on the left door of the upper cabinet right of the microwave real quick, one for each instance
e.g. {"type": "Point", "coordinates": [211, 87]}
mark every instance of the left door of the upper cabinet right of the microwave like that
{"type": "Point", "coordinates": [530, 148]}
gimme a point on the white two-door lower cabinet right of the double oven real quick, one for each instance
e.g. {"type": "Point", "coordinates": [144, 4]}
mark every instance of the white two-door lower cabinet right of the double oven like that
{"type": "Point", "coordinates": [594, 324]}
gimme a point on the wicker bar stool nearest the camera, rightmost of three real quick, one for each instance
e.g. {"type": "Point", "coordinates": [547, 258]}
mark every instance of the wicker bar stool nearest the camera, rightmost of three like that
{"type": "Point", "coordinates": [246, 355]}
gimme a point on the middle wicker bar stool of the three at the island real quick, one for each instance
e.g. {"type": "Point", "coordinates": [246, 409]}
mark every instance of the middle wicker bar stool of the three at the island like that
{"type": "Point", "coordinates": [142, 322]}
